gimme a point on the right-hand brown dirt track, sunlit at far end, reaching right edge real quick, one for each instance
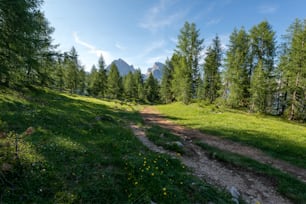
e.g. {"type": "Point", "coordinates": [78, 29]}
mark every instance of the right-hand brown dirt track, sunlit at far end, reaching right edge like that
{"type": "Point", "coordinates": [152, 116]}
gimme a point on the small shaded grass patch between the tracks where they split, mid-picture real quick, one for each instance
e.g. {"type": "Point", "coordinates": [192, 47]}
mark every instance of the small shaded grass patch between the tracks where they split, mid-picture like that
{"type": "Point", "coordinates": [164, 138]}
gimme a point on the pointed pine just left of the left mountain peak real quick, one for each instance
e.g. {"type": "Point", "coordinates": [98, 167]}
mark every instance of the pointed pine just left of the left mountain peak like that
{"type": "Point", "coordinates": [114, 83]}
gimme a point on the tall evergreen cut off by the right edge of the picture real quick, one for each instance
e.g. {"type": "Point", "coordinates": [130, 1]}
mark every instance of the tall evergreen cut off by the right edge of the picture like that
{"type": "Point", "coordinates": [293, 71]}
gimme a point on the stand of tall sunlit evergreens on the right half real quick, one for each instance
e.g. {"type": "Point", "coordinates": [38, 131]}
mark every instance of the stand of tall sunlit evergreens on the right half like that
{"type": "Point", "coordinates": [254, 73]}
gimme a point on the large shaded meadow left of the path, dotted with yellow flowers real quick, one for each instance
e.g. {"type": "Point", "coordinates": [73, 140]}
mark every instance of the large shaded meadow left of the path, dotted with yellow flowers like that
{"type": "Point", "coordinates": [81, 151]}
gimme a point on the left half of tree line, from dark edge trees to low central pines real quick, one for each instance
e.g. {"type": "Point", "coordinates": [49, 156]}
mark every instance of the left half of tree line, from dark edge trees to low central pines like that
{"type": "Point", "coordinates": [28, 57]}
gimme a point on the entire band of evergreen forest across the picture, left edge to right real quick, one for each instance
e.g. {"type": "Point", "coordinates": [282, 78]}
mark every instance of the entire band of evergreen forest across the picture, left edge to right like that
{"type": "Point", "coordinates": [255, 73]}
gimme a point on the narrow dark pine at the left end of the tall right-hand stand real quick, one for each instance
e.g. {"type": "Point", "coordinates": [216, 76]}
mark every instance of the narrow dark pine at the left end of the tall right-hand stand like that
{"type": "Point", "coordinates": [165, 87]}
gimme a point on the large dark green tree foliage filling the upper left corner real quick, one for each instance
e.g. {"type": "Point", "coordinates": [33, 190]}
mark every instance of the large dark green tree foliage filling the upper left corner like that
{"type": "Point", "coordinates": [25, 48]}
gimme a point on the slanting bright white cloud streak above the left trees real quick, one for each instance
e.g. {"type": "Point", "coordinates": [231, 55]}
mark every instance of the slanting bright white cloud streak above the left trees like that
{"type": "Point", "coordinates": [93, 50]}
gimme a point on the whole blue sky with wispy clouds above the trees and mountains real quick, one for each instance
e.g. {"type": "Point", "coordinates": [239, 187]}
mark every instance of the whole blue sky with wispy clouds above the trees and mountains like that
{"type": "Point", "coordinates": [144, 31]}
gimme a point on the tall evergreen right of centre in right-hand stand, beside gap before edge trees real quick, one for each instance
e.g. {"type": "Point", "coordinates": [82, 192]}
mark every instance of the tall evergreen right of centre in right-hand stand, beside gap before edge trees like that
{"type": "Point", "coordinates": [262, 39]}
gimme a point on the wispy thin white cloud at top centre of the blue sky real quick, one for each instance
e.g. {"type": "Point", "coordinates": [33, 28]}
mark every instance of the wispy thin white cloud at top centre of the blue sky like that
{"type": "Point", "coordinates": [159, 16]}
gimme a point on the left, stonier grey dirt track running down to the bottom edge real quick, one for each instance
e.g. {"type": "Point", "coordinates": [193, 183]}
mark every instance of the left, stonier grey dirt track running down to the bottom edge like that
{"type": "Point", "coordinates": [252, 188]}
